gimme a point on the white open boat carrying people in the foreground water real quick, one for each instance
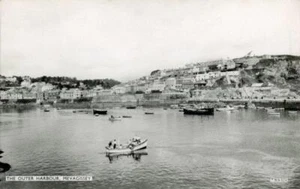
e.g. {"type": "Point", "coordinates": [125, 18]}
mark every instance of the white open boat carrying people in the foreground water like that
{"type": "Point", "coordinates": [135, 145]}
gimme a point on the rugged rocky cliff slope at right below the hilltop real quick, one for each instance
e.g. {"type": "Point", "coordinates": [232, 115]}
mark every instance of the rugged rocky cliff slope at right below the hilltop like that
{"type": "Point", "coordinates": [281, 73]}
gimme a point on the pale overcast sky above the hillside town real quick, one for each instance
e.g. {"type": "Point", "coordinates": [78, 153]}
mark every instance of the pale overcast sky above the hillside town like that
{"type": "Point", "coordinates": [127, 39]}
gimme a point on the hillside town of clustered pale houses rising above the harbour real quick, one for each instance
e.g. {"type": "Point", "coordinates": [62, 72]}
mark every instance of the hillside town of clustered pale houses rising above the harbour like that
{"type": "Point", "coordinates": [248, 77]}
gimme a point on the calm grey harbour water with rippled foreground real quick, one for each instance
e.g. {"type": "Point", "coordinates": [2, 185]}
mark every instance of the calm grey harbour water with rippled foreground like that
{"type": "Point", "coordinates": [244, 149]}
